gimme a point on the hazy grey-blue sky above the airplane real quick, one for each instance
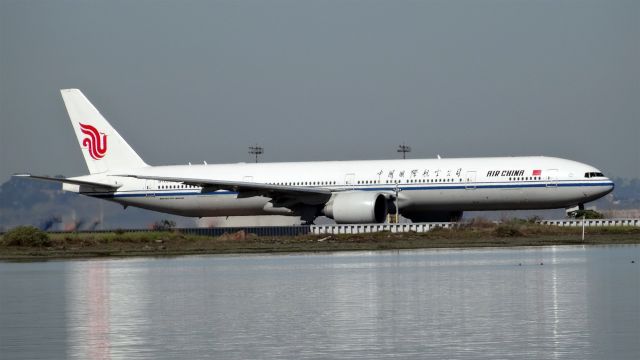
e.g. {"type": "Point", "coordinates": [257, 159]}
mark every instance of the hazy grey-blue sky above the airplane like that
{"type": "Point", "coordinates": [193, 81]}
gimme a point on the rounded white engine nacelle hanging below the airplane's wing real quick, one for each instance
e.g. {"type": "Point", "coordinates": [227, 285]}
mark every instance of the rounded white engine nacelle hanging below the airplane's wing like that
{"type": "Point", "coordinates": [356, 207]}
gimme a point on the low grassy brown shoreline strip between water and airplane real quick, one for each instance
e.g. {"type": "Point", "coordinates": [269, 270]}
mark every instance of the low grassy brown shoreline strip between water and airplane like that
{"type": "Point", "coordinates": [153, 244]}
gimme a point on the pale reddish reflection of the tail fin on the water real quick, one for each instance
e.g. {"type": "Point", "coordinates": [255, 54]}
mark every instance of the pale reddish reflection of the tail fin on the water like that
{"type": "Point", "coordinates": [106, 306]}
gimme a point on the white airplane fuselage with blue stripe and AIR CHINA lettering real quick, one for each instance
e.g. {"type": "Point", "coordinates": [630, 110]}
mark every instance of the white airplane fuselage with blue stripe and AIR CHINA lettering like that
{"type": "Point", "coordinates": [500, 183]}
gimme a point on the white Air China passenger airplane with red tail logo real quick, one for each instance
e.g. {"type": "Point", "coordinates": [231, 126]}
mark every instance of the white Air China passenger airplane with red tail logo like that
{"type": "Point", "coordinates": [425, 190]}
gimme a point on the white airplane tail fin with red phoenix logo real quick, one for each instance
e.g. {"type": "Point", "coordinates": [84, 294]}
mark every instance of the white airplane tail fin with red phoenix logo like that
{"type": "Point", "coordinates": [102, 147]}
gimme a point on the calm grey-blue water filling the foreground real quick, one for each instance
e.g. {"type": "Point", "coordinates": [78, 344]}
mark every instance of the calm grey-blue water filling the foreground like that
{"type": "Point", "coordinates": [582, 303]}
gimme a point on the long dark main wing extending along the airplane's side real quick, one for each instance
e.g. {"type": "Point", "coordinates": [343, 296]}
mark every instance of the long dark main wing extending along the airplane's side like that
{"type": "Point", "coordinates": [279, 193]}
